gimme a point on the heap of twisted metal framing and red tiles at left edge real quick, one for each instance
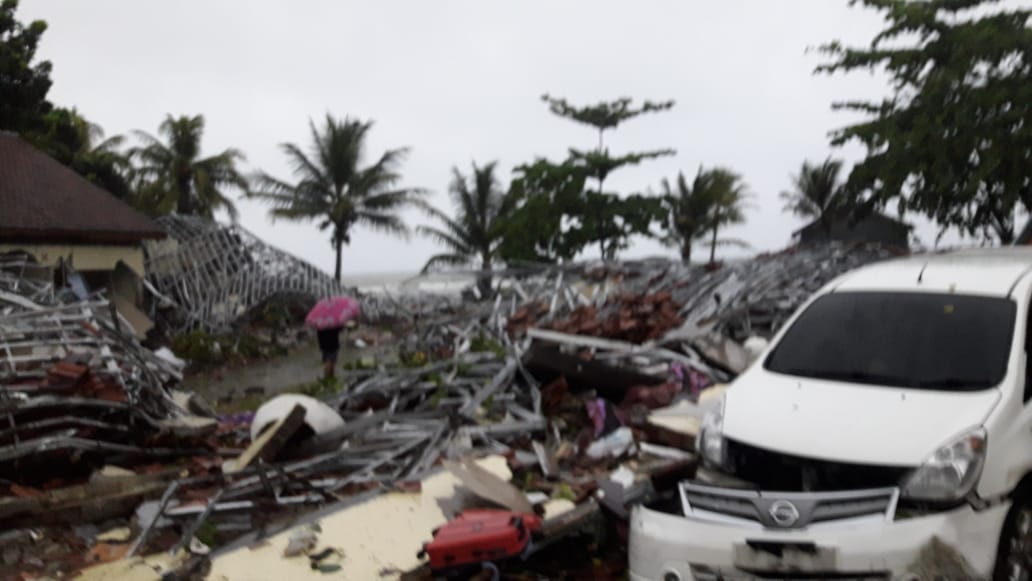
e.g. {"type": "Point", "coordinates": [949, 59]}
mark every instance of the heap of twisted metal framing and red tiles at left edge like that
{"type": "Point", "coordinates": [74, 381]}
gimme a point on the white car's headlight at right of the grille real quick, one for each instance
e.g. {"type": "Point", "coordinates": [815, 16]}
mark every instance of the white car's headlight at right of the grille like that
{"type": "Point", "coordinates": [952, 472]}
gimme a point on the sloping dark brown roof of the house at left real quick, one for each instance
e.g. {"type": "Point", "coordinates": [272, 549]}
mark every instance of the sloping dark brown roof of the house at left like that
{"type": "Point", "coordinates": [44, 202]}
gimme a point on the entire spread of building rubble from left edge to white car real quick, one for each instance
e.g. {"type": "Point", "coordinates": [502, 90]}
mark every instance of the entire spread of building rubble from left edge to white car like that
{"type": "Point", "coordinates": [586, 385]}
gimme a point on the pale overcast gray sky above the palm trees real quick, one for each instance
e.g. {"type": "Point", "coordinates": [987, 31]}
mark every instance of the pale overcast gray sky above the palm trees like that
{"type": "Point", "coordinates": [461, 81]}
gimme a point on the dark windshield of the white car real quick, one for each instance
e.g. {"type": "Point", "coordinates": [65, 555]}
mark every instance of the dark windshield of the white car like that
{"type": "Point", "coordinates": [920, 341]}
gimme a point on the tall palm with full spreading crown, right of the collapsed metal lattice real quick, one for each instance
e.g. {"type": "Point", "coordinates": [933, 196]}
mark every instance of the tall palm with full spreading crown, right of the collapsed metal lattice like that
{"type": "Point", "coordinates": [335, 188]}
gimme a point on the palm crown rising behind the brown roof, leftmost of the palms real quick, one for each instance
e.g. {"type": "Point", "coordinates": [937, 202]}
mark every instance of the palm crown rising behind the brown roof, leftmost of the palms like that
{"type": "Point", "coordinates": [174, 176]}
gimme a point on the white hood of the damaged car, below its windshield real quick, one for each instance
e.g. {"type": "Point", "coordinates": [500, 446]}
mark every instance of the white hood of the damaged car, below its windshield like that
{"type": "Point", "coordinates": [849, 423]}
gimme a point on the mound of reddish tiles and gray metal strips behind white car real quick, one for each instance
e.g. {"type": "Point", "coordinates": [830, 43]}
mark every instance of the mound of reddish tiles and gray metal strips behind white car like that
{"type": "Point", "coordinates": [644, 301]}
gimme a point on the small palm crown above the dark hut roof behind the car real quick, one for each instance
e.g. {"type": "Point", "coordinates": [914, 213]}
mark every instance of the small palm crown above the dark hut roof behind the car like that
{"type": "Point", "coordinates": [818, 195]}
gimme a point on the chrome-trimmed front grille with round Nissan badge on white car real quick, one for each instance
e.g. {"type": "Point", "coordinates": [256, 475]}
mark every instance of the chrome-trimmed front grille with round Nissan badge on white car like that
{"type": "Point", "coordinates": [787, 510]}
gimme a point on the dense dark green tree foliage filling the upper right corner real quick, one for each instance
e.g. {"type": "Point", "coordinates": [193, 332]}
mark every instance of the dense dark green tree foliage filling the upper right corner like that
{"type": "Point", "coordinates": [954, 141]}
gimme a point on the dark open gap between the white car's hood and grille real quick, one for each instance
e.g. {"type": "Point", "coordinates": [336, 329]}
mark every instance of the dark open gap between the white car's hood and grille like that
{"type": "Point", "coordinates": [776, 471]}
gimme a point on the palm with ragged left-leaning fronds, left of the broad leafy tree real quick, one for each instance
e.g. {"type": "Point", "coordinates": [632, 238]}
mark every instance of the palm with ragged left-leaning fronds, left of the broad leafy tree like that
{"type": "Point", "coordinates": [475, 233]}
